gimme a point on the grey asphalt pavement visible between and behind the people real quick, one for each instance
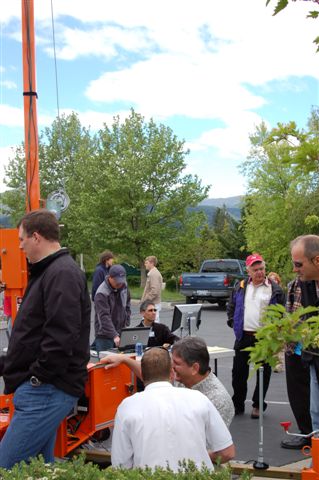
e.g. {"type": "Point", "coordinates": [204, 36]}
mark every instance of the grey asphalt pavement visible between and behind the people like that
{"type": "Point", "coordinates": [245, 431]}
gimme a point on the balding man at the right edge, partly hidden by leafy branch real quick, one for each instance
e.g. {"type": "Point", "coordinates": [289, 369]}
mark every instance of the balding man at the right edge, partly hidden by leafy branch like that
{"type": "Point", "coordinates": [301, 367]}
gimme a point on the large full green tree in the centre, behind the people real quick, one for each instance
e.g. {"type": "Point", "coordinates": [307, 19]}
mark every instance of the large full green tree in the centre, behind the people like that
{"type": "Point", "coordinates": [134, 195]}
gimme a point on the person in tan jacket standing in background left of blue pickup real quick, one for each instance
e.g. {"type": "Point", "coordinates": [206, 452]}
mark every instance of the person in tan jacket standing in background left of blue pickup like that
{"type": "Point", "coordinates": [154, 284]}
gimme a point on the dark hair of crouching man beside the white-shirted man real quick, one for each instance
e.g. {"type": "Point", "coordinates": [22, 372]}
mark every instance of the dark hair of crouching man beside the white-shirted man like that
{"type": "Point", "coordinates": [192, 350]}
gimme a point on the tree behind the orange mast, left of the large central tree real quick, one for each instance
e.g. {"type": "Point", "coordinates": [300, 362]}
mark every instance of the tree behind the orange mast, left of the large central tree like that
{"type": "Point", "coordinates": [62, 148]}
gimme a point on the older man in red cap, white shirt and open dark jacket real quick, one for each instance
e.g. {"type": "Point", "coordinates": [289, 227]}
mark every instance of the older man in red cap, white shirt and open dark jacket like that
{"type": "Point", "coordinates": [249, 299]}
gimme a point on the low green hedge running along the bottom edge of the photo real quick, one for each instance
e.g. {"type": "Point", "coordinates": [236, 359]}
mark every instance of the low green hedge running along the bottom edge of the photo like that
{"type": "Point", "coordinates": [77, 469]}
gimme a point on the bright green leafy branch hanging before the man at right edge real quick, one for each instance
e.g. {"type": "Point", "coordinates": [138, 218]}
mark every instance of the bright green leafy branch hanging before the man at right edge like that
{"type": "Point", "coordinates": [280, 329]}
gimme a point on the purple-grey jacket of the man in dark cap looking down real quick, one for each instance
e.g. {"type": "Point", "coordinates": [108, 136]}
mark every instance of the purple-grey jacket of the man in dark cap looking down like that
{"type": "Point", "coordinates": [112, 310]}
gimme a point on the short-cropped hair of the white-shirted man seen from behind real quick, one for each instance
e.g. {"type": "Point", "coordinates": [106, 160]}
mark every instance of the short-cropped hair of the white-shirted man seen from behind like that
{"type": "Point", "coordinates": [156, 365]}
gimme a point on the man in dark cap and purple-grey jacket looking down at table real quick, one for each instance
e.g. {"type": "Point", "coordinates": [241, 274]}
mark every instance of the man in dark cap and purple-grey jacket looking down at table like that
{"type": "Point", "coordinates": [112, 309]}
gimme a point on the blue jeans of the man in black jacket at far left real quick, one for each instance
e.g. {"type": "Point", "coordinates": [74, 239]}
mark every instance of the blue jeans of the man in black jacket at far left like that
{"type": "Point", "coordinates": [32, 430]}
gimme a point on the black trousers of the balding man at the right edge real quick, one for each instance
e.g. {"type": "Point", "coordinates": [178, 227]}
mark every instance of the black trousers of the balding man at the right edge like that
{"type": "Point", "coordinates": [298, 388]}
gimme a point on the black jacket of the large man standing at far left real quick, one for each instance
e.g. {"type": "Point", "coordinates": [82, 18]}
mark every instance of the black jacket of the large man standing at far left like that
{"type": "Point", "coordinates": [50, 336]}
